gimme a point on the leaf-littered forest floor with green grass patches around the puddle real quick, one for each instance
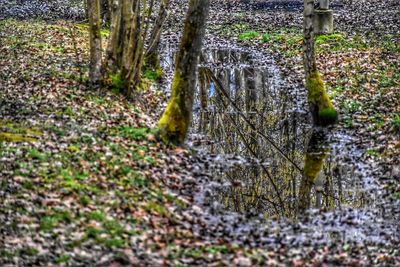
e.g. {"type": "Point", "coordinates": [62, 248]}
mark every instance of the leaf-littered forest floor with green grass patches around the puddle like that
{"type": "Point", "coordinates": [83, 182]}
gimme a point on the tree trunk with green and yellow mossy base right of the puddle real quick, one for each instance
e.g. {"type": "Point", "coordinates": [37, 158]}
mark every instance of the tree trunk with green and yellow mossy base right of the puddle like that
{"type": "Point", "coordinates": [321, 108]}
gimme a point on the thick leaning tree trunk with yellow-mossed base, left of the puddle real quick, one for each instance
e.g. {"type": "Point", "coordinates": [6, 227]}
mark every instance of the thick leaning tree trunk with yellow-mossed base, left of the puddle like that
{"type": "Point", "coordinates": [175, 120]}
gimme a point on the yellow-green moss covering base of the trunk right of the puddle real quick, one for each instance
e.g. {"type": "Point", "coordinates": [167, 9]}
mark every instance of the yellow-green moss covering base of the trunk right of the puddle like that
{"type": "Point", "coordinates": [321, 107]}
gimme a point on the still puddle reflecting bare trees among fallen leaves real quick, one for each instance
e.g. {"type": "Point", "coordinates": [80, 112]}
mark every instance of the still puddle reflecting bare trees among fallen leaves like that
{"type": "Point", "coordinates": [263, 154]}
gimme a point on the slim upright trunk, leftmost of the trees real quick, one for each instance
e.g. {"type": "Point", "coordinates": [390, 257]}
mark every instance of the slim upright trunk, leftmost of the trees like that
{"type": "Point", "coordinates": [95, 68]}
